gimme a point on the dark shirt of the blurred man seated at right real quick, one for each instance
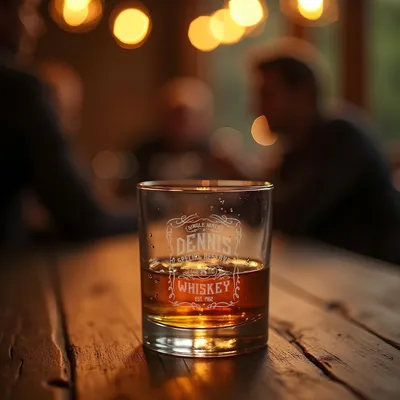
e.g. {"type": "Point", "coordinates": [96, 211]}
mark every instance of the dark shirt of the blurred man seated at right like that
{"type": "Point", "coordinates": [336, 187]}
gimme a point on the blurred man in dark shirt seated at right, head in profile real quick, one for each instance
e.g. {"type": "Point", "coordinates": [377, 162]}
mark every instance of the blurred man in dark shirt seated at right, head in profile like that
{"type": "Point", "coordinates": [333, 184]}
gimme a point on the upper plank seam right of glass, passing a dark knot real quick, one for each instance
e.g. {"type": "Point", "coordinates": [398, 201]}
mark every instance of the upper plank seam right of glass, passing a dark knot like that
{"type": "Point", "coordinates": [332, 306]}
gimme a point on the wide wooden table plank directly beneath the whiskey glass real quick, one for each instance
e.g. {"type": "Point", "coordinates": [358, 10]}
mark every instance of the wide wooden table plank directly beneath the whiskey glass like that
{"type": "Point", "coordinates": [101, 293]}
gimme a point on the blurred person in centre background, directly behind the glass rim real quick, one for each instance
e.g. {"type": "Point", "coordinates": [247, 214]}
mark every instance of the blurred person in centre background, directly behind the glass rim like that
{"type": "Point", "coordinates": [180, 148]}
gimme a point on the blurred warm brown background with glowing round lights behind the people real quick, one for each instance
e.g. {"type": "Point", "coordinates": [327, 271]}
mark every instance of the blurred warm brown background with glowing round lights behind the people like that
{"type": "Point", "coordinates": [107, 61]}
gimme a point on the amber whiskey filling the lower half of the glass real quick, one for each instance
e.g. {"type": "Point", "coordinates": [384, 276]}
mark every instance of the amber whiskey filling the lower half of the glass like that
{"type": "Point", "coordinates": [205, 293]}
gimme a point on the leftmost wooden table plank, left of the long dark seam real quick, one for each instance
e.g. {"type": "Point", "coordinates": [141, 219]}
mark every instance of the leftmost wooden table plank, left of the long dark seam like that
{"type": "Point", "coordinates": [33, 363]}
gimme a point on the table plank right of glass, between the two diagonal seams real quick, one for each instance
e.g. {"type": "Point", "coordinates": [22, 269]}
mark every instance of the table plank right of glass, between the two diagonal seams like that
{"type": "Point", "coordinates": [363, 363]}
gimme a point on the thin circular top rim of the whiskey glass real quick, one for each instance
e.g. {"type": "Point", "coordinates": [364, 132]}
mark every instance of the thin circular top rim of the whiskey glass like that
{"type": "Point", "coordinates": [201, 186]}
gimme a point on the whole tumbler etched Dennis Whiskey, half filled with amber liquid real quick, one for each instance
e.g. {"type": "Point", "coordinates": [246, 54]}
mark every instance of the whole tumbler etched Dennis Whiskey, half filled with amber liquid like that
{"type": "Point", "coordinates": [204, 257]}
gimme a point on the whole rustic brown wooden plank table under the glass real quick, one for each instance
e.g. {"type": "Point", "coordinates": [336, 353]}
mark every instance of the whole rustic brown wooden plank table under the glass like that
{"type": "Point", "coordinates": [70, 329]}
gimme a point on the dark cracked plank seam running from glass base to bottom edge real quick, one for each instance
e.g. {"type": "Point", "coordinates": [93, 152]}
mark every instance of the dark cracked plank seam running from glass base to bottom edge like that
{"type": "Point", "coordinates": [284, 330]}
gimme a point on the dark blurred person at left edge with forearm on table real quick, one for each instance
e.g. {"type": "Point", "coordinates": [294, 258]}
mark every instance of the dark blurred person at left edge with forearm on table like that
{"type": "Point", "coordinates": [33, 151]}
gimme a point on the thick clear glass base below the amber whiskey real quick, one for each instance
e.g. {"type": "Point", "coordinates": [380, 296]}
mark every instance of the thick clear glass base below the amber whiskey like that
{"type": "Point", "coordinates": [206, 342]}
